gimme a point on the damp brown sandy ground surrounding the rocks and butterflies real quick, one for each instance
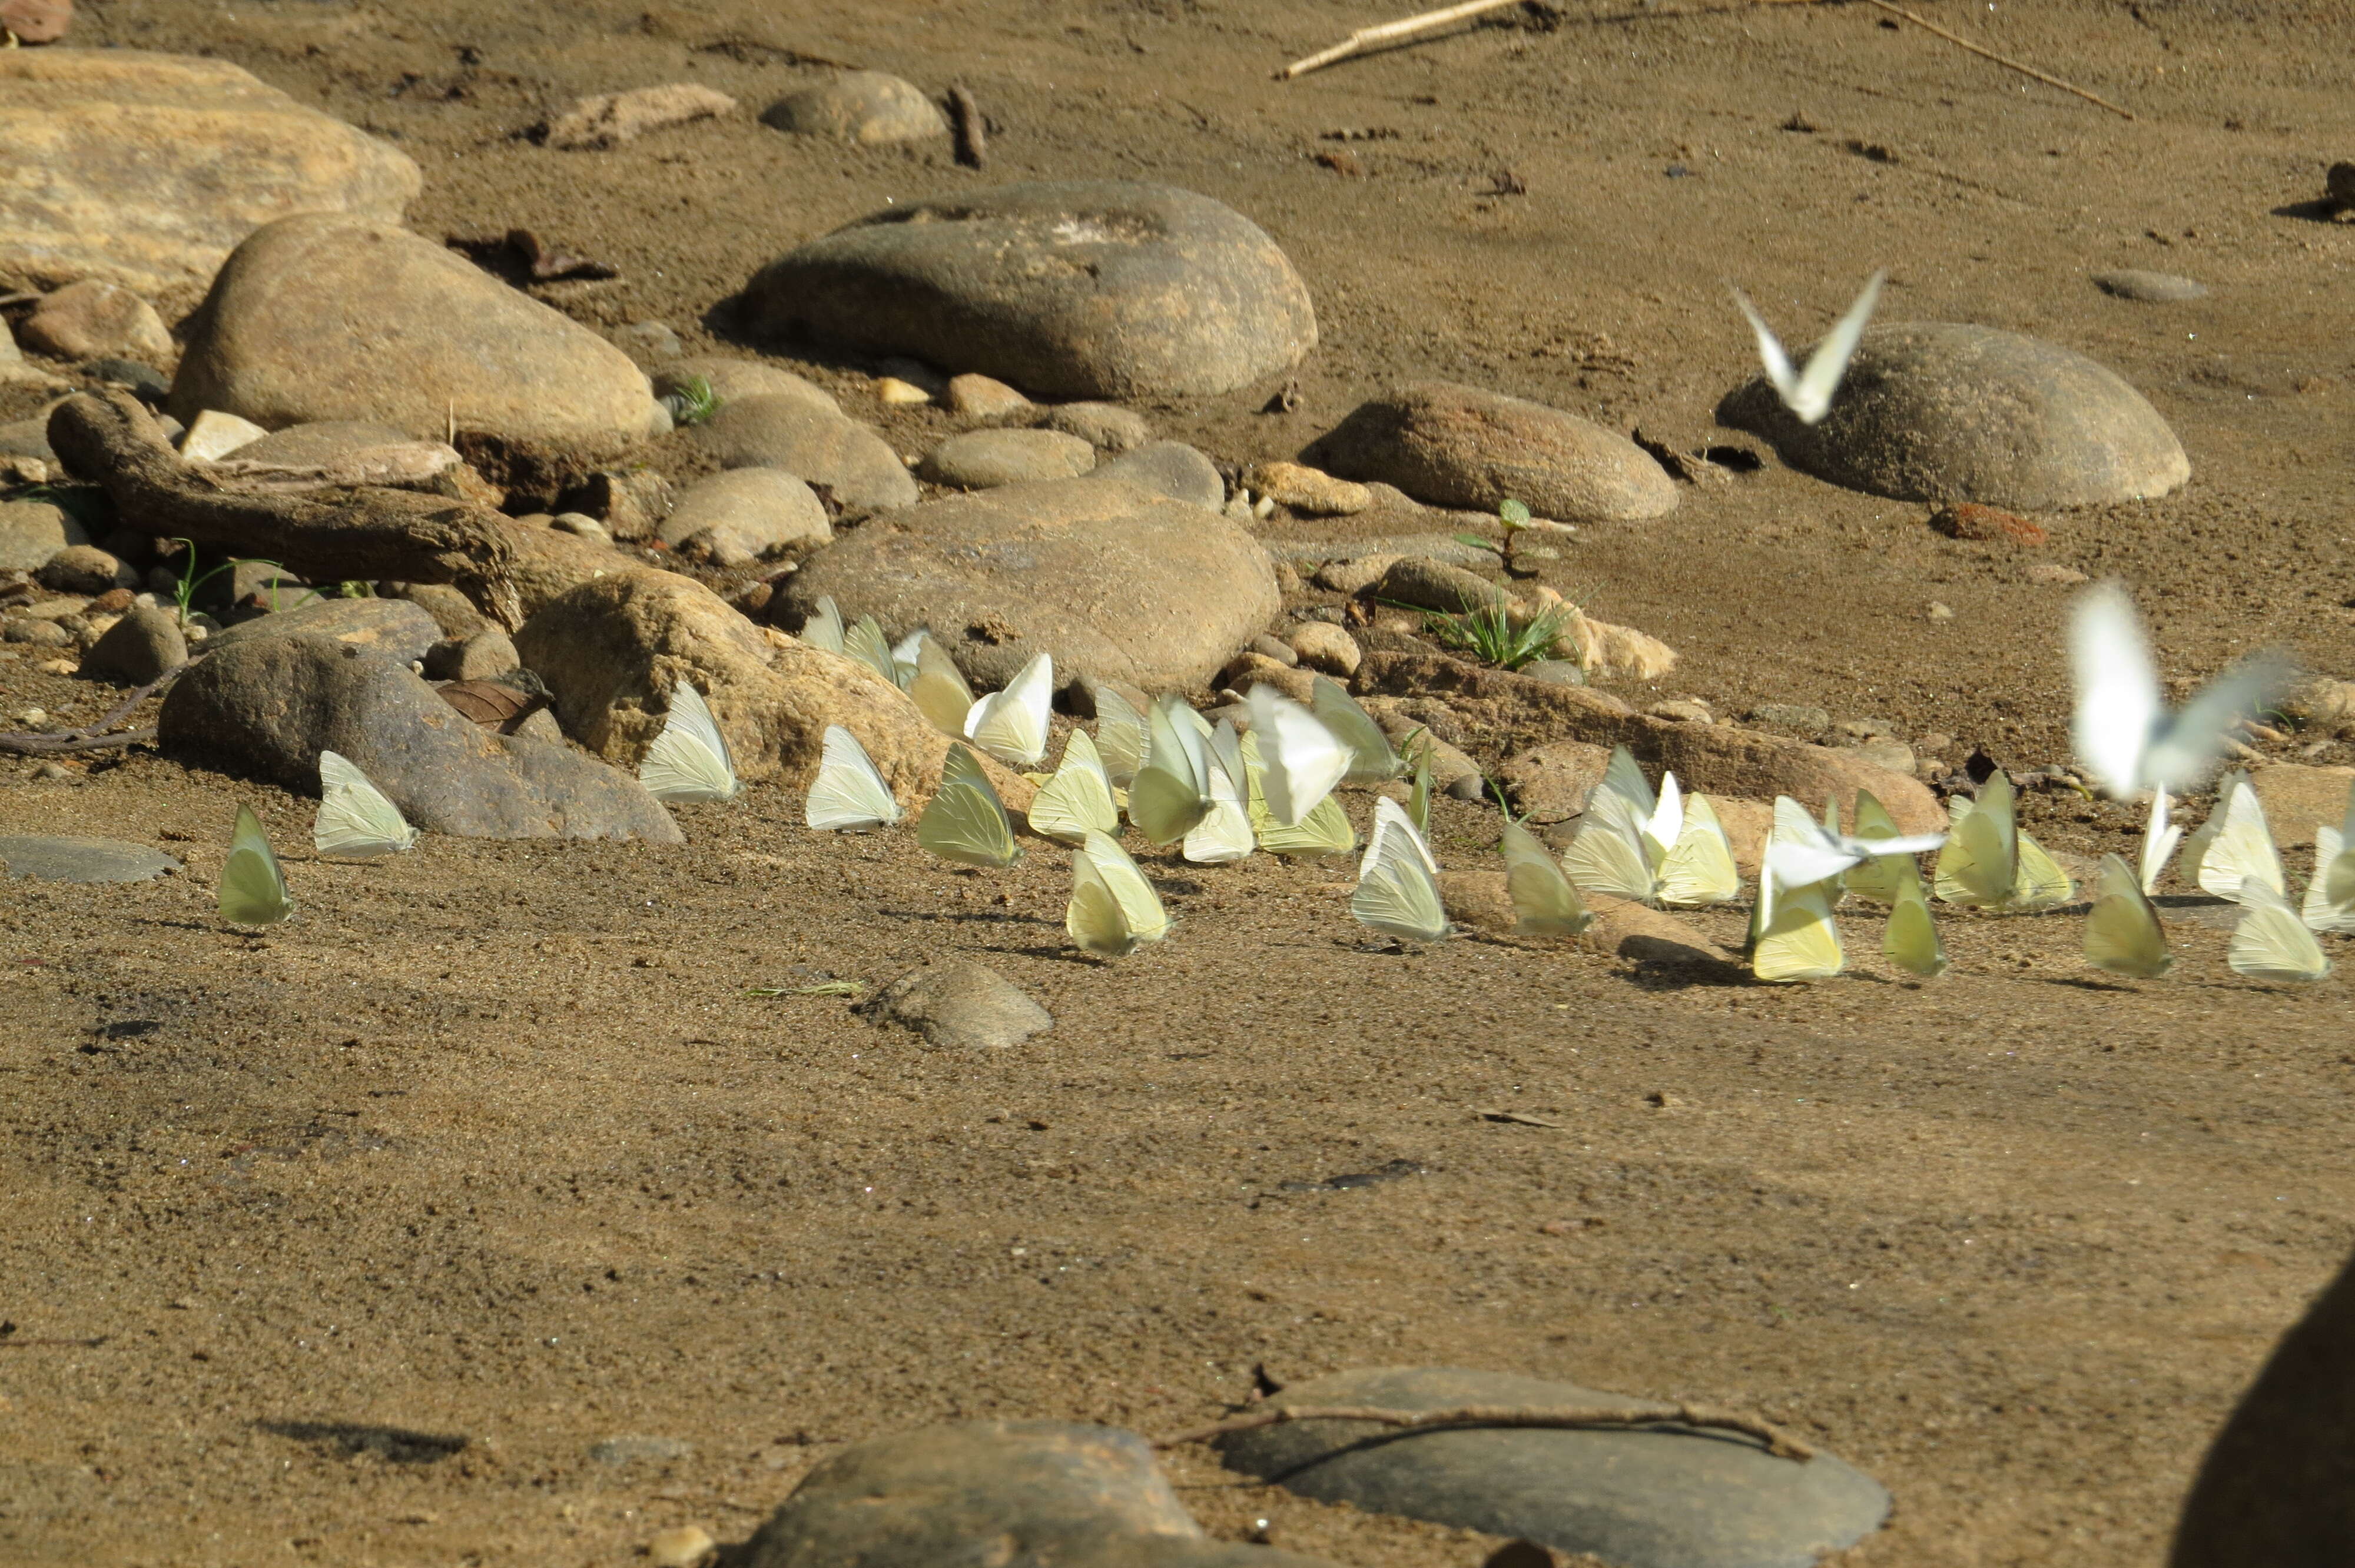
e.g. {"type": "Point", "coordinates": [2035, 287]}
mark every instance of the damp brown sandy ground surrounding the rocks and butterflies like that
{"type": "Point", "coordinates": [345, 1244]}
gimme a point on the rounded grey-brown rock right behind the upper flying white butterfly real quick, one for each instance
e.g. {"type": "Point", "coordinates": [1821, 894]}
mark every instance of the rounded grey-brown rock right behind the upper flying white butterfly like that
{"type": "Point", "coordinates": [1958, 413]}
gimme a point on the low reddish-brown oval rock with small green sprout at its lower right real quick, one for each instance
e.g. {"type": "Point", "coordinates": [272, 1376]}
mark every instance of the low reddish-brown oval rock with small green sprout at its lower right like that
{"type": "Point", "coordinates": [1461, 446]}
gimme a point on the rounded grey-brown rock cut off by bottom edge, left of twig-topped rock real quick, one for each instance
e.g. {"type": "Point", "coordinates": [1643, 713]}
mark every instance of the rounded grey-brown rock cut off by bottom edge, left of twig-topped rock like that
{"type": "Point", "coordinates": [1007, 1494]}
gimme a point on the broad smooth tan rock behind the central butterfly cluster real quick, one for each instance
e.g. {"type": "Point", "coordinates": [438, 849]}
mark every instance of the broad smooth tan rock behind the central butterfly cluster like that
{"type": "Point", "coordinates": [1115, 583]}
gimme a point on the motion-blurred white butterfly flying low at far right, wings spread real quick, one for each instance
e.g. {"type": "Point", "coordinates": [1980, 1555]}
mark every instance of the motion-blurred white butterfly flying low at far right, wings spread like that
{"type": "Point", "coordinates": [2123, 729]}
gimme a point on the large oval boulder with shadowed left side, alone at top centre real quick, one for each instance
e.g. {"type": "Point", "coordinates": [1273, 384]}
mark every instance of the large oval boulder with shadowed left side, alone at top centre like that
{"type": "Point", "coordinates": [1063, 288]}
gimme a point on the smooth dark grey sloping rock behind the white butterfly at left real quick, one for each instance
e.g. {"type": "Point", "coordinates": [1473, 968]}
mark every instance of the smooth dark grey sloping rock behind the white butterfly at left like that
{"type": "Point", "coordinates": [272, 705]}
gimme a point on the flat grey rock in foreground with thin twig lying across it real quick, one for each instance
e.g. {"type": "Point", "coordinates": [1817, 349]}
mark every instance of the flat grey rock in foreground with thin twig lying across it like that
{"type": "Point", "coordinates": [1643, 1499]}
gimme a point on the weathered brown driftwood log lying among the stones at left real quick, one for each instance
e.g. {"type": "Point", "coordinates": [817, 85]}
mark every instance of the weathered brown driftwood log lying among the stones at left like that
{"type": "Point", "coordinates": [329, 536]}
